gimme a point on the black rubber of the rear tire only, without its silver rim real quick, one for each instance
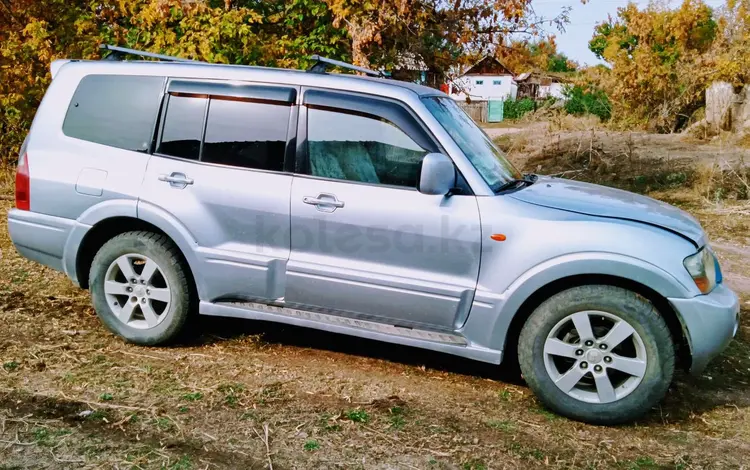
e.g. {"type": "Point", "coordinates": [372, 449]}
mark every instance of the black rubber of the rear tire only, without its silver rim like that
{"type": "Point", "coordinates": [172, 266]}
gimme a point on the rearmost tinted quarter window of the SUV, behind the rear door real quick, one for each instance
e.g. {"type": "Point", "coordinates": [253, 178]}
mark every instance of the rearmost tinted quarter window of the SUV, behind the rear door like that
{"type": "Point", "coordinates": [114, 110]}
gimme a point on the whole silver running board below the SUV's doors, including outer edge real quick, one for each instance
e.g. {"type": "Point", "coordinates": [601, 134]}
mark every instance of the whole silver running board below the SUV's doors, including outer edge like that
{"type": "Point", "coordinates": [437, 341]}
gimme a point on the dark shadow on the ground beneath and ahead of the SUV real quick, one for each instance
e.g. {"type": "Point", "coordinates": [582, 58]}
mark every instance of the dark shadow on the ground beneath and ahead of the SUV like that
{"type": "Point", "coordinates": [724, 384]}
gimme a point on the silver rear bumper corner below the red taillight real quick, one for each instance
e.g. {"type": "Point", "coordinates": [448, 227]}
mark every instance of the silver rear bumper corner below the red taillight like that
{"type": "Point", "coordinates": [40, 237]}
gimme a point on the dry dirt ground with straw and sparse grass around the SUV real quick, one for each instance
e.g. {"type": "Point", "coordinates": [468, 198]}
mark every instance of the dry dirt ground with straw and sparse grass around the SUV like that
{"type": "Point", "coordinates": [259, 395]}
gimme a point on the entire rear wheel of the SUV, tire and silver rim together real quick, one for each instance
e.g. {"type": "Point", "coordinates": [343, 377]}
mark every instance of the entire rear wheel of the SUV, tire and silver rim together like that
{"type": "Point", "coordinates": [155, 306]}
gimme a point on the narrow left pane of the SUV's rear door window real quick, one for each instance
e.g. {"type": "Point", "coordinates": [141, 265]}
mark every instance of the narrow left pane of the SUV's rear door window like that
{"type": "Point", "coordinates": [183, 127]}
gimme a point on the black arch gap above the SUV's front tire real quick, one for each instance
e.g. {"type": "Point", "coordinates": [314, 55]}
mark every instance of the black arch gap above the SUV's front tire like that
{"type": "Point", "coordinates": [543, 293]}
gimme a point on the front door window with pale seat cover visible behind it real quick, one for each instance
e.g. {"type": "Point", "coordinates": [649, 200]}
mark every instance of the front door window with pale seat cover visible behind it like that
{"type": "Point", "coordinates": [361, 148]}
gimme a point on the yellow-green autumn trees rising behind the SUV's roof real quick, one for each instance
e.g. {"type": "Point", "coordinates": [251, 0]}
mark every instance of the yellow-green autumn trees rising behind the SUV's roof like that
{"type": "Point", "coordinates": [379, 33]}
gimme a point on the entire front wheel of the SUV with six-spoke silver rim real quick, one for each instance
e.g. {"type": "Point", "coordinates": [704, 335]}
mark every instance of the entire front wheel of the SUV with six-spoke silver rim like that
{"type": "Point", "coordinates": [544, 362]}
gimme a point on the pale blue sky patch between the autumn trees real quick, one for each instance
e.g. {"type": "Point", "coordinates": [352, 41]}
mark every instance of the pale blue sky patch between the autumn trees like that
{"type": "Point", "coordinates": [574, 41]}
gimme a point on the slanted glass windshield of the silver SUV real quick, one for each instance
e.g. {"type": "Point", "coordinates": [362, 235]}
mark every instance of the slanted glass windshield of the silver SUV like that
{"type": "Point", "coordinates": [489, 160]}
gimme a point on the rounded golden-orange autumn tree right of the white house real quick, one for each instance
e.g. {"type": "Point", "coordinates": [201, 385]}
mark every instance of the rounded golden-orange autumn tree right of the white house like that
{"type": "Point", "coordinates": [658, 58]}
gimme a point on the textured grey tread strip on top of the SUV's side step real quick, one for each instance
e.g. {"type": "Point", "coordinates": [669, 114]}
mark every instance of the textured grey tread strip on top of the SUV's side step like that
{"type": "Point", "coordinates": [319, 317]}
